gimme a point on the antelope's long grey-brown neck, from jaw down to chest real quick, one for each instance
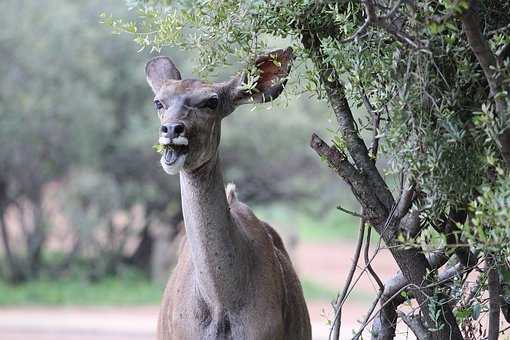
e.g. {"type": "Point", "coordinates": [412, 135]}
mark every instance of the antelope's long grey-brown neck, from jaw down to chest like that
{"type": "Point", "coordinates": [219, 249]}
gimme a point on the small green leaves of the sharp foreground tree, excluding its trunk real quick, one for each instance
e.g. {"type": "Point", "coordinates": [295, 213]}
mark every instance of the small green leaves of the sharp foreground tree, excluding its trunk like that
{"type": "Point", "coordinates": [409, 67]}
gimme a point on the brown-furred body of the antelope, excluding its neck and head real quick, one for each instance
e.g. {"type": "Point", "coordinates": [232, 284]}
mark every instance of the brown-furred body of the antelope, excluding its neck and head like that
{"type": "Point", "coordinates": [275, 310]}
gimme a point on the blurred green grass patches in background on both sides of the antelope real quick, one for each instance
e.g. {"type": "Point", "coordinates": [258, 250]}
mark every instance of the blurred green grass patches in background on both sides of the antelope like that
{"type": "Point", "coordinates": [132, 288]}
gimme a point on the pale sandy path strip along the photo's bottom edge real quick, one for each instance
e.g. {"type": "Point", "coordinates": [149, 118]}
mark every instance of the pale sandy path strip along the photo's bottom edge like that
{"type": "Point", "coordinates": [90, 323]}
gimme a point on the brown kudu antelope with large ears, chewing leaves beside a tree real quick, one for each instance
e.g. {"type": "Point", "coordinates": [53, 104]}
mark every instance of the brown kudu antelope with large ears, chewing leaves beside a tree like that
{"type": "Point", "coordinates": [234, 279]}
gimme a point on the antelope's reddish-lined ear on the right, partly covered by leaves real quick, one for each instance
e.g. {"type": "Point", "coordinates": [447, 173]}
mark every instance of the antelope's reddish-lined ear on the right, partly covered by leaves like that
{"type": "Point", "coordinates": [269, 81]}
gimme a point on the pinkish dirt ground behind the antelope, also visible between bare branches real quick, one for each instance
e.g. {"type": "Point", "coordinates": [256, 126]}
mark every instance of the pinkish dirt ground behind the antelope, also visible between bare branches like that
{"type": "Point", "coordinates": [326, 264]}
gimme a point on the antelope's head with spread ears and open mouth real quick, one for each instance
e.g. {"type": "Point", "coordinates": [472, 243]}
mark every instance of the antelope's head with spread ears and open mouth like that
{"type": "Point", "coordinates": [190, 111]}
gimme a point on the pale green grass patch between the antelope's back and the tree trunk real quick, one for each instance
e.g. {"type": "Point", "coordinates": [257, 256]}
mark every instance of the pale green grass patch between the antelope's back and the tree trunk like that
{"type": "Point", "coordinates": [331, 226]}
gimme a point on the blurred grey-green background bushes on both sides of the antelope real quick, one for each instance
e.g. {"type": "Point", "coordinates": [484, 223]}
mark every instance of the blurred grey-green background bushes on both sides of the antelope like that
{"type": "Point", "coordinates": [78, 175]}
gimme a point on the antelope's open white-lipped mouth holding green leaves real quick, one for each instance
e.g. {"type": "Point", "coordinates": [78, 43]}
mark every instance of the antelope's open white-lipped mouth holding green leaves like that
{"type": "Point", "coordinates": [174, 154]}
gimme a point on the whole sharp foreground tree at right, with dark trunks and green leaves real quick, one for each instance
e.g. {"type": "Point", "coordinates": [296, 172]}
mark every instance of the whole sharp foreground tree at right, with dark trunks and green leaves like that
{"type": "Point", "coordinates": [429, 80]}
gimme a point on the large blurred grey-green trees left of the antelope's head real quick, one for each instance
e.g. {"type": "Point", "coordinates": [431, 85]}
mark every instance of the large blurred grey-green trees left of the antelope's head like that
{"type": "Point", "coordinates": [67, 113]}
